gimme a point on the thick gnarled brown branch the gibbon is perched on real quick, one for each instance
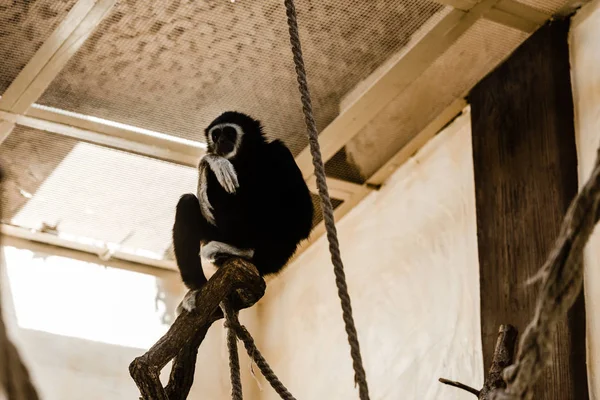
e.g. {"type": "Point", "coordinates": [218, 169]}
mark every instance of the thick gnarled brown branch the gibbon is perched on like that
{"type": "Point", "coordinates": [239, 282]}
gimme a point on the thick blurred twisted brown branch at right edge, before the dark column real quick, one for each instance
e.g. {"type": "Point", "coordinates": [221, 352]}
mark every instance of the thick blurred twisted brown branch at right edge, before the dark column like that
{"type": "Point", "coordinates": [562, 276]}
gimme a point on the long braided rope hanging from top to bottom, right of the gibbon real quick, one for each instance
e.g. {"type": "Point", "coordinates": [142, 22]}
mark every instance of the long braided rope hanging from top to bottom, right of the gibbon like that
{"type": "Point", "coordinates": [334, 247]}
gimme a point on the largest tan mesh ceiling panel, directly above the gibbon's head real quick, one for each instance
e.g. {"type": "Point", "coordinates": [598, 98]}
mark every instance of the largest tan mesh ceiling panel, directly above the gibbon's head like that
{"type": "Point", "coordinates": [174, 66]}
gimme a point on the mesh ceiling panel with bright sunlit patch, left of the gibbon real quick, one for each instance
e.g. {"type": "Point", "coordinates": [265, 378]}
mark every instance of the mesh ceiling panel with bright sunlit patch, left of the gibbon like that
{"type": "Point", "coordinates": [94, 194]}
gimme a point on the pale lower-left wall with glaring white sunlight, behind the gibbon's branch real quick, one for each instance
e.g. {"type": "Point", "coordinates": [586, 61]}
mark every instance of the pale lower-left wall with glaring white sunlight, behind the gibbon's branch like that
{"type": "Point", "coordinates": [79, 325]}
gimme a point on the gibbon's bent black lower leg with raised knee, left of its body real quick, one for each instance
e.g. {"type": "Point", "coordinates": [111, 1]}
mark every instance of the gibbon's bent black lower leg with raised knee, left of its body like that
{"type": "Point", "coordinates": [187, 235]}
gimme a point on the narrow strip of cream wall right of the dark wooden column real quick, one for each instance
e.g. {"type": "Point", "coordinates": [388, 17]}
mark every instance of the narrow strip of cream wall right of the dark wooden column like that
{"type": "Point", "coordinates": [585, 75]}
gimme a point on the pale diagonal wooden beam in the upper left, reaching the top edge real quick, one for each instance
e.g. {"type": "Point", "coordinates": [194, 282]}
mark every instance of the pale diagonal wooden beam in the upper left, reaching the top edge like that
{"type": "Point", "coordinates": [53, 55]}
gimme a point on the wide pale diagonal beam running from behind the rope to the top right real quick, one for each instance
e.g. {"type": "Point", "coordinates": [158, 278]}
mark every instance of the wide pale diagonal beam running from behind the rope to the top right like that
{"type": "Point", "coordinates": [389, 85]}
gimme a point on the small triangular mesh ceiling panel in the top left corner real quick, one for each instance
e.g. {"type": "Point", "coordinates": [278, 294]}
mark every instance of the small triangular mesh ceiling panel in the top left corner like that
{"type": "Point", "coordinates": [24, 26]}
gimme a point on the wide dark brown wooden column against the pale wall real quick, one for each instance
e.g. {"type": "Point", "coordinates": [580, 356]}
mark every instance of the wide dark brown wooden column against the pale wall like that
{"type": "Point", "coordinates": [525, 177]}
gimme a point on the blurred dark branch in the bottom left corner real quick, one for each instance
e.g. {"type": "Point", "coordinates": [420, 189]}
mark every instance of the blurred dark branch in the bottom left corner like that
{"type": "Point", "coordinates": [15, 381]}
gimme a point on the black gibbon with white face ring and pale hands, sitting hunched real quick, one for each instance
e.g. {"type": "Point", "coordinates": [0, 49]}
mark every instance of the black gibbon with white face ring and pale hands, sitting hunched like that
{"type": "Point", "coordinates": [252, 203]}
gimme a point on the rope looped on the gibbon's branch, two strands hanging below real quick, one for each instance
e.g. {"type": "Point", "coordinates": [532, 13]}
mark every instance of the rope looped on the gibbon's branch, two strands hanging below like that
{"type": "Point", "coordinates": [235, 328]}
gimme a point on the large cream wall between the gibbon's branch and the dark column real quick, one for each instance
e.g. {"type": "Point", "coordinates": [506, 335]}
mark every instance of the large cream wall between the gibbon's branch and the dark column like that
{"type": "Point", "coordinates": [410, 252]}
